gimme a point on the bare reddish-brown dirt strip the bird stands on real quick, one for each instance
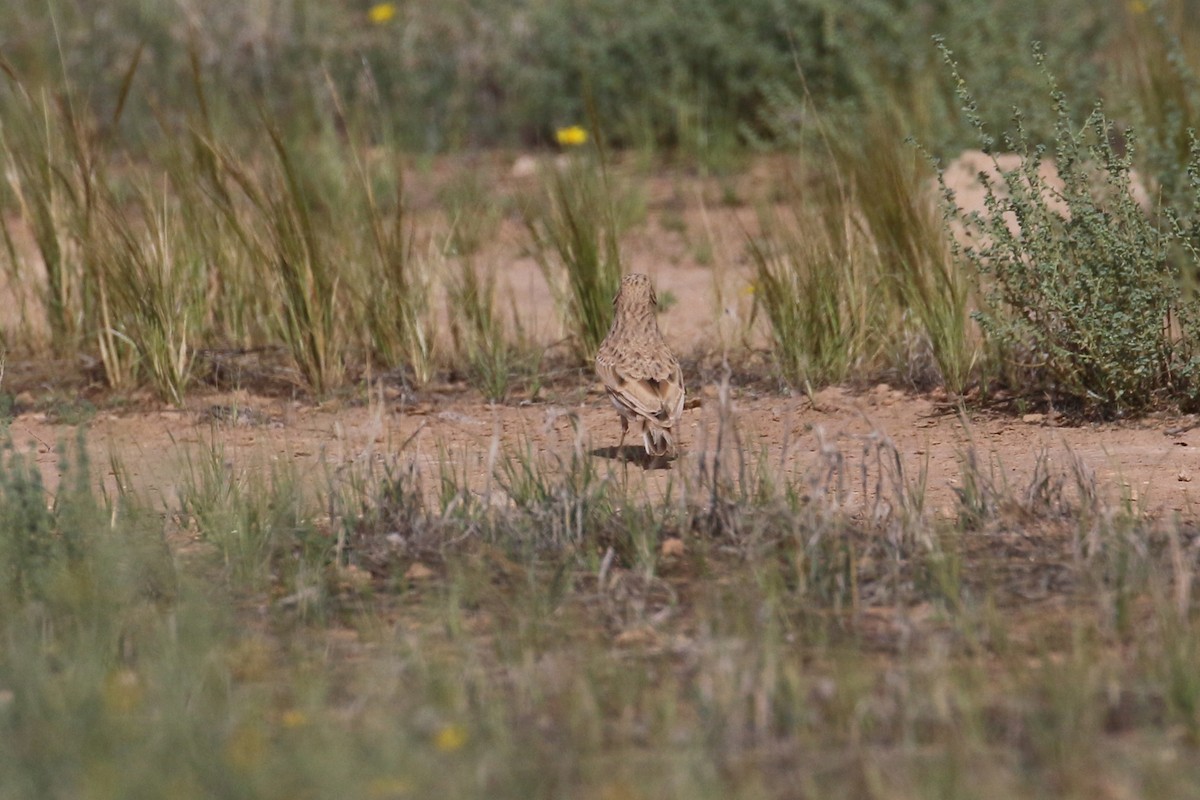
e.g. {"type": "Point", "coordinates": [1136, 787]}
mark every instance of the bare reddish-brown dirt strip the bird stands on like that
{"type": "Point", "coordinates": [1148, 461]}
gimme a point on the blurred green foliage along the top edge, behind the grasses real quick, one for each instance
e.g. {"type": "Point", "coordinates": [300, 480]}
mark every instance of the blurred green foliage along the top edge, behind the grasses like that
{"type": "Point", "coordinates": [482, 74]}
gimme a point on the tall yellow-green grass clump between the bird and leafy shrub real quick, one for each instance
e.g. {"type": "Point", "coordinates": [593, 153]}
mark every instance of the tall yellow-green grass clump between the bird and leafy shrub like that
{"type": "Point", "coordinates": [857, 276]}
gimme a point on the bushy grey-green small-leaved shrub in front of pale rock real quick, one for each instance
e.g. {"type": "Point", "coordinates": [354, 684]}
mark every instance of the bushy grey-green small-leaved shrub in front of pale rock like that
{"type": "Point", "coordinates": [1083, 300]}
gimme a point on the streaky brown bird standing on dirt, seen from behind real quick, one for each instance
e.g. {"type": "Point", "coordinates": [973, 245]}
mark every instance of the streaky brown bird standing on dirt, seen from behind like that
{"type": "Point", "coordinates": [639, 371]}
